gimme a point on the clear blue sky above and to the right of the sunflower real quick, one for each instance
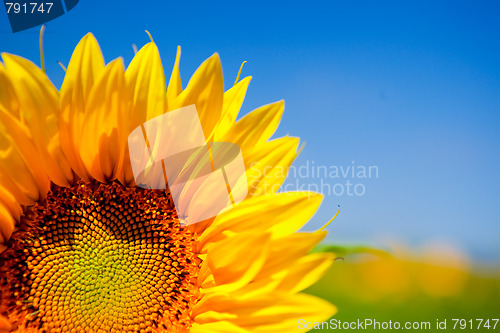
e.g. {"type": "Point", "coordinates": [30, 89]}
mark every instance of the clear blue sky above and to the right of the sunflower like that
{"type": "Point", "coordinates": [412, 88]}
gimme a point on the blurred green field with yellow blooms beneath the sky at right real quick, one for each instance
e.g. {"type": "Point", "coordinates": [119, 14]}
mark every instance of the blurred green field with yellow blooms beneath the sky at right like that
{"type": "Point", "coordinates": [424, 285]}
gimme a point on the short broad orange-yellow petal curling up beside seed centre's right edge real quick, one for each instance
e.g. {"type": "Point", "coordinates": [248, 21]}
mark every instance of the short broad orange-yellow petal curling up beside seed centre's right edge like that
{"type": "Point", "coordinates": [225, 264]}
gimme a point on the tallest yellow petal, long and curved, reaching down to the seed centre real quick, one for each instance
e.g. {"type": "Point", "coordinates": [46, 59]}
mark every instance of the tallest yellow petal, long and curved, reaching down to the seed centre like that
{"type": "Point", "coordinates": [85, 66]}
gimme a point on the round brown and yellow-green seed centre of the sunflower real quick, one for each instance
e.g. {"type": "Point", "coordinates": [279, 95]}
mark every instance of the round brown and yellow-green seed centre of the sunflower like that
{"type": "Point", "coordinates": [100, 258]}
